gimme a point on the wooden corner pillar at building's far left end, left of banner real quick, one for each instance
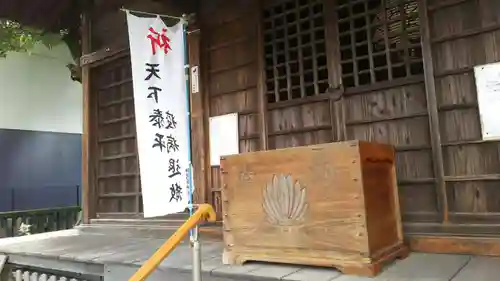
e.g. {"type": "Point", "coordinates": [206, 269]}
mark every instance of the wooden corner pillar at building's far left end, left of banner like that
{"type": "Point", "coordinates": [87, 194]}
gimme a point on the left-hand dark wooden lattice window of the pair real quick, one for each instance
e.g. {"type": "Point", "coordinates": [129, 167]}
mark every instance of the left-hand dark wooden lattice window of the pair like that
{"type": "Point", "coordinates": [295, 50]}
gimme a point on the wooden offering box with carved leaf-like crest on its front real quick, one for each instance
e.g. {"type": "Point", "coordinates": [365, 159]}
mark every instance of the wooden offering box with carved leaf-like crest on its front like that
{"type": "Point", "coordinates": [333, 205]}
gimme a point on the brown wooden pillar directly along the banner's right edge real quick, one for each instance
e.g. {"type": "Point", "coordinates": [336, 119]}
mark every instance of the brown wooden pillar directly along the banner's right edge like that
{"type": "Point", "coordinates": [199, 130]}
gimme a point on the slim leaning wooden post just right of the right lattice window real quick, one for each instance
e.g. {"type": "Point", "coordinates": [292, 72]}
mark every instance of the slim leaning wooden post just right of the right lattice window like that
{"type": "Point", "coordinates": [432, 109]}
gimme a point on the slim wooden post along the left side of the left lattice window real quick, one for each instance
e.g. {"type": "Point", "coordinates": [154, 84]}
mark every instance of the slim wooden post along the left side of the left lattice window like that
{"type": "Point", "coordinates": [261, 82]}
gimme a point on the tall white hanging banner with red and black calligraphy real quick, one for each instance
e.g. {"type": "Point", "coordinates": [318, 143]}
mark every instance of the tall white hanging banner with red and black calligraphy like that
{"type": "Point", "coordinates": [161, 113]}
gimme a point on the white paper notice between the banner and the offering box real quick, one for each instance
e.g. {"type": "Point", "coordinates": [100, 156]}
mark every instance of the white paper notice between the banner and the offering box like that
{"type": "Point", "coordinates": [224, 137]}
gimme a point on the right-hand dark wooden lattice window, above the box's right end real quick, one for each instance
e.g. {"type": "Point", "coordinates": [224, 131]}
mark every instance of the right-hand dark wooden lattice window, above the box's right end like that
{"type": "Point", "coordinates": [379, 40]}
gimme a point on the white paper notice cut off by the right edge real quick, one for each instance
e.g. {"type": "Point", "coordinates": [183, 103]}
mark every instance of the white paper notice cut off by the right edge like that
{"type": "Point", "coordinates": [488, 96]}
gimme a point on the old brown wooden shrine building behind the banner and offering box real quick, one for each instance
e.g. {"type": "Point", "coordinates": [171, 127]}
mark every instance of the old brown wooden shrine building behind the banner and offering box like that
{"type": "Point", "coordinates": [302, 72]}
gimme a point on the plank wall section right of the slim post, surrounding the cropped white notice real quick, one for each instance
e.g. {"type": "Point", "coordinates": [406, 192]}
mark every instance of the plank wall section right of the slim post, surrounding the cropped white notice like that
{"type": "Point", "coordinates": [465, 34]}
